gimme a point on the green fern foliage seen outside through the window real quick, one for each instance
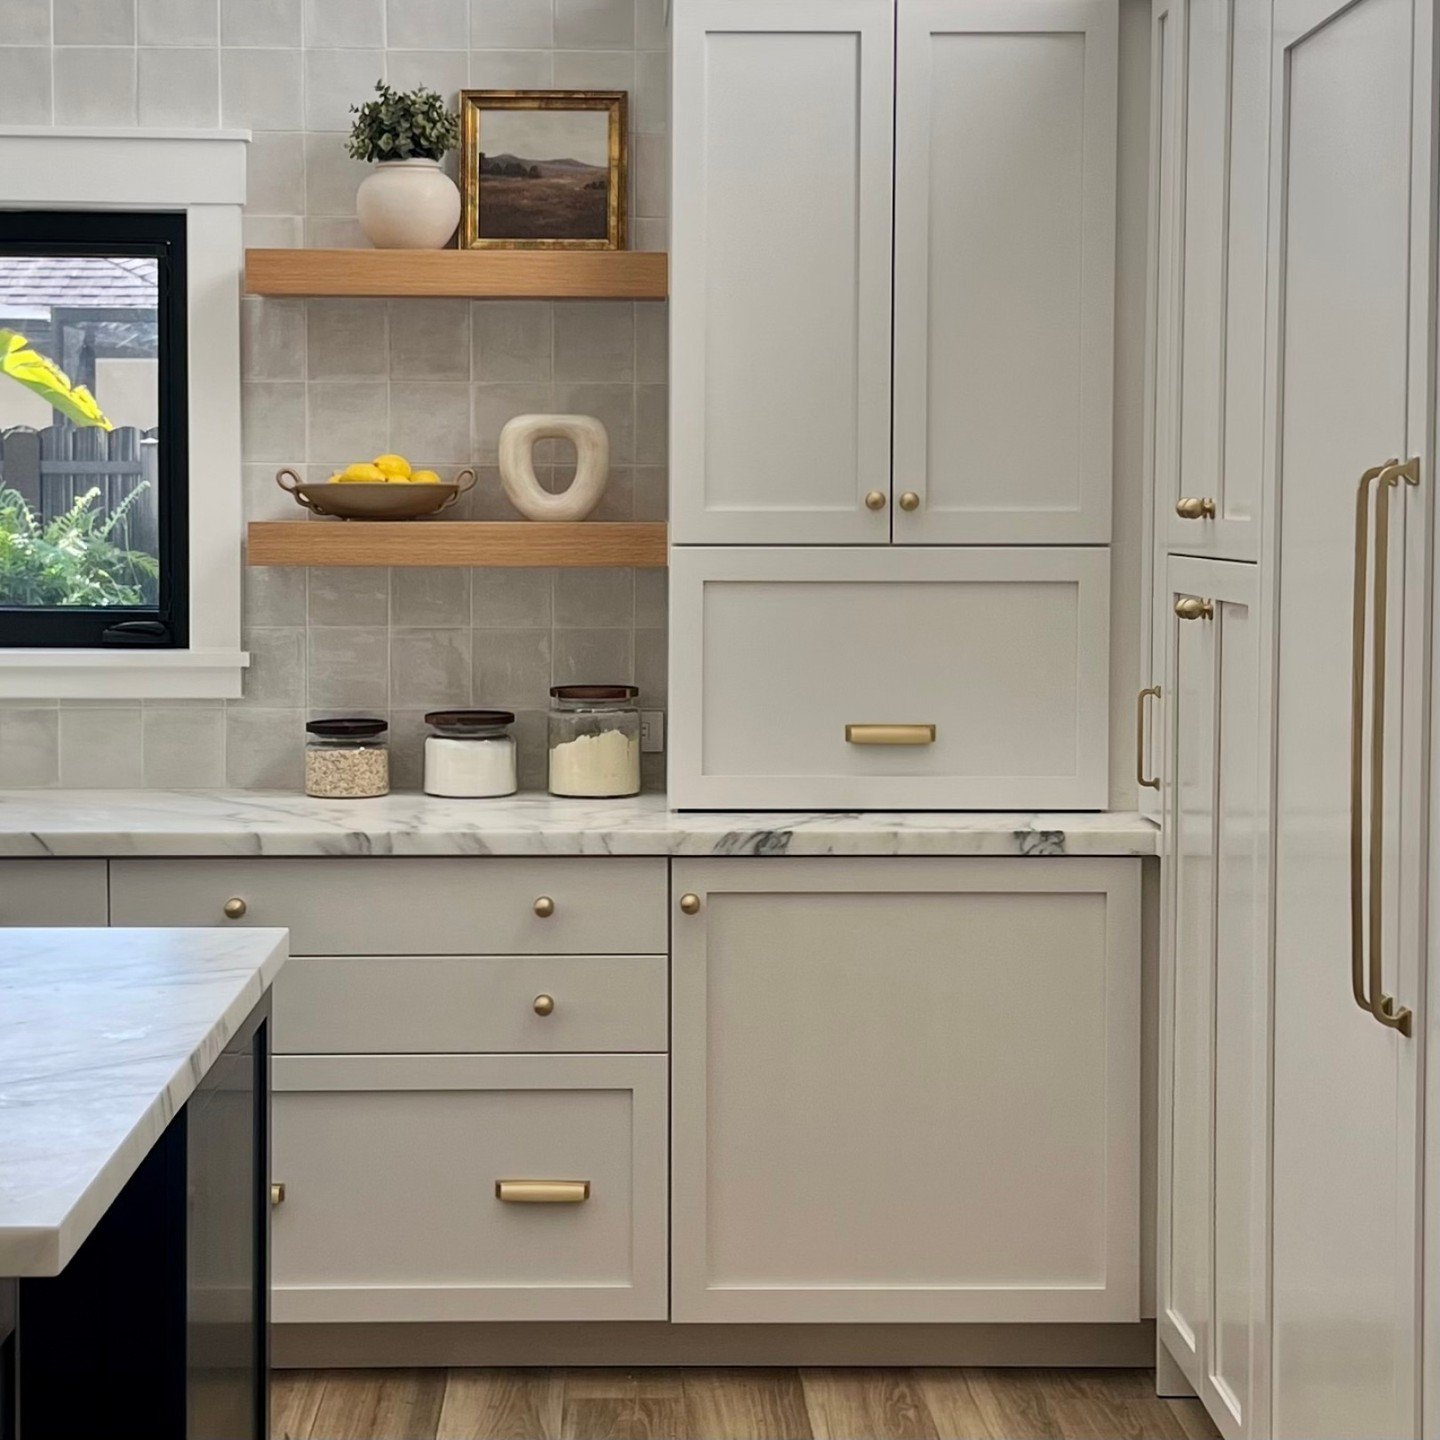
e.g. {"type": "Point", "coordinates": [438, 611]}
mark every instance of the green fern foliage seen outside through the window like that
{"type": "Point", "coordinates": [73, 559]}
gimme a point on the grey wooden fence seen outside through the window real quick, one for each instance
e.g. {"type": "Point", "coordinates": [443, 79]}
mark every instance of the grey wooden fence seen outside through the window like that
{"type": "Point", "coordinates": [54, 467]}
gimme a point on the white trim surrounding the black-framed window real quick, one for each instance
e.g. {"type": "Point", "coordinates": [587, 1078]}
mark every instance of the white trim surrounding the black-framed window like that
{"type": "Point", "coordinates": [201, 172]}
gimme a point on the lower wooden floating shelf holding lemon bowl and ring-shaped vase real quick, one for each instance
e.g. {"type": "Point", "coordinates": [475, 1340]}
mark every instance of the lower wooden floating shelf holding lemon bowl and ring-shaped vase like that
{"type": "Point", "coordinates": [456, 544]}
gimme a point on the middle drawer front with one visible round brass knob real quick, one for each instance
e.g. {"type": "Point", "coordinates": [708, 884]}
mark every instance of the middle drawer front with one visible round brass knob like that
{"type": "Point", "coordinates": [385, 1004]}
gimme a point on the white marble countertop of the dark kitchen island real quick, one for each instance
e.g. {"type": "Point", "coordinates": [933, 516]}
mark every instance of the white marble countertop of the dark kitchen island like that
{"type": "Point", "coordinates": [104, 1036]}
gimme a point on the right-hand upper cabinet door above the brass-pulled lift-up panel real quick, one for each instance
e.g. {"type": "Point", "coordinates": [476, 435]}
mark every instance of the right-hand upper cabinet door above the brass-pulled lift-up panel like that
{"type": "Point", "coordinates": [1006, 152]}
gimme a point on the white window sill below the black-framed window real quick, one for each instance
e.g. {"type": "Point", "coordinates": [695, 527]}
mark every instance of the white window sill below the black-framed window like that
{"type": "Point", "coordinates": [122, 675]}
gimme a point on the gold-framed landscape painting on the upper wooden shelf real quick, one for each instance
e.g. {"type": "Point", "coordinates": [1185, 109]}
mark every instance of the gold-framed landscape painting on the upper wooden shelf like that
{"type": "Point", "coordinates": [558, 192]}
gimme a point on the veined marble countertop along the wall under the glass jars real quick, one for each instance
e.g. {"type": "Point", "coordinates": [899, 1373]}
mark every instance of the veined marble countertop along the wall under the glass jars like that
{"type": "Point", "coordinates": [261, 823]}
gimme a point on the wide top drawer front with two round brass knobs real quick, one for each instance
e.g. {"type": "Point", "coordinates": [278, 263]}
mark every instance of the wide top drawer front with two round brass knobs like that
{"type": "Point", "coordinates": [424, 906]}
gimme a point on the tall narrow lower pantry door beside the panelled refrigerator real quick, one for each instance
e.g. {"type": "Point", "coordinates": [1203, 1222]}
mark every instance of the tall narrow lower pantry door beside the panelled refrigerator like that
{"type": "Point", "coordinates": [1215, 999]}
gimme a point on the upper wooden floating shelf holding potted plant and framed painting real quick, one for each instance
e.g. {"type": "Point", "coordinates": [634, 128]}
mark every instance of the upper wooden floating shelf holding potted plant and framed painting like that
{"type": "Point", "coordinates": [470, 274]}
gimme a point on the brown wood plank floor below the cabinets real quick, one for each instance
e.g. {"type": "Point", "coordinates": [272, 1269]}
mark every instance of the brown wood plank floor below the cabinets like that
{"type": "Point", "coordinates": [731, 1405]}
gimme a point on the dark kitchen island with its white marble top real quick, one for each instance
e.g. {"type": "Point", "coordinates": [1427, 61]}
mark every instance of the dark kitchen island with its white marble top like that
{"type": "Point", "coordinates": [135, 1180]}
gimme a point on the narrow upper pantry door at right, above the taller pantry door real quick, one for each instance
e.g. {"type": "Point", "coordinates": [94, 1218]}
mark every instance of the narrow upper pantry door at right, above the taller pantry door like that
{"type": "Point", "coordinates": [1210, 495]}
